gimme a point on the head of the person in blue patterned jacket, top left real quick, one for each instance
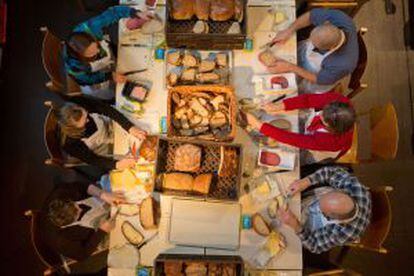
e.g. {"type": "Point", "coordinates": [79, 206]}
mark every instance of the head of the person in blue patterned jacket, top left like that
{"type": "Point", "coordinates": [83, 45]}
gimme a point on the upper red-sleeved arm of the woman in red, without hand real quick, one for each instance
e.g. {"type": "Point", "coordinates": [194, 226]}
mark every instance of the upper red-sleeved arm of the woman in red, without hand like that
{"type": "Point", "coordinates": [317, 101]}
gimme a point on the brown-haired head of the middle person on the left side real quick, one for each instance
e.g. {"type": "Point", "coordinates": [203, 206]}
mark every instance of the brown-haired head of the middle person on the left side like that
{"type": "Point", "coordinates": [72, 120]}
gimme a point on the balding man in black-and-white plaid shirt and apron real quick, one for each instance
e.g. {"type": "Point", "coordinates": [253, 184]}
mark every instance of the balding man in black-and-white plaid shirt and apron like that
{"type": "Point", "coordinates": [332, 215]}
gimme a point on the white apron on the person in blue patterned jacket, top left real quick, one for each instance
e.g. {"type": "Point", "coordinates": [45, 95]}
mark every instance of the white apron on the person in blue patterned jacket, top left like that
{"type": "Point", "coordinates": [104, 90]}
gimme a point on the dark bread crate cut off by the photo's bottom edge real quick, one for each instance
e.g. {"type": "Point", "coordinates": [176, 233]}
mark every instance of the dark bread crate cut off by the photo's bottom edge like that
{"type": "Point", "coordinates": [182, 260]}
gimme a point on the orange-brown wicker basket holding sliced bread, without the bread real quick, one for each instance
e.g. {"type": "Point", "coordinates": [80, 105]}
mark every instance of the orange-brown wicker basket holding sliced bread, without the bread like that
{"type": "Point", "coordinates": [190, 91]}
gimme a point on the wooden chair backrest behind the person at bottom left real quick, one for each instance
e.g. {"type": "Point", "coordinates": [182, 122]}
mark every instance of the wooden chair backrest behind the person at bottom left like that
{"type": "Point", "coordinates": [47, 256]}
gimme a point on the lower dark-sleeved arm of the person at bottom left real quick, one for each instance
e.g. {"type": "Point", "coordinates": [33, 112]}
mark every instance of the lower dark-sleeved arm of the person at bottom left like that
{"type": "Point", "coordinates": [79, 242]}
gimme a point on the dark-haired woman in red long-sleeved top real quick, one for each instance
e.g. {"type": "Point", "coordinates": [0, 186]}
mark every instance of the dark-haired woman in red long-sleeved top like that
{"type": "Point", "coordinates": [328, 129]}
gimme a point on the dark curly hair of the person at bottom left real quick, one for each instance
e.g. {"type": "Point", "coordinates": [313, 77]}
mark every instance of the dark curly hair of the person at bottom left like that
{"type": "Point", "coordinates": [62, 212]}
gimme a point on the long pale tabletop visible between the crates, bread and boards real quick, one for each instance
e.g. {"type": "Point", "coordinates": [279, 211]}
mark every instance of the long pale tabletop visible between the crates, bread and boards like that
{"type": "Point", "coordinates": [245, 66]}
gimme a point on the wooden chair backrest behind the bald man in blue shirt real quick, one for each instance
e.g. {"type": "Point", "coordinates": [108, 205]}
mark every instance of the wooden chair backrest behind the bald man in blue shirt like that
{"type": "Point", "coordinates": [355, 81]}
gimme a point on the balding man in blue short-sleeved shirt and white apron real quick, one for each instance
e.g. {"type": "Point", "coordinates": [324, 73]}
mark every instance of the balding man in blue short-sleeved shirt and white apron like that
{"type": "Point", "coordinates": [330, 53]}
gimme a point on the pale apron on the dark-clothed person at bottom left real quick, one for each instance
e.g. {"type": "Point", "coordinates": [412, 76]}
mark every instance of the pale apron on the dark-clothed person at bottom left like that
{"type": "Point", "coordinates": [93, 217]}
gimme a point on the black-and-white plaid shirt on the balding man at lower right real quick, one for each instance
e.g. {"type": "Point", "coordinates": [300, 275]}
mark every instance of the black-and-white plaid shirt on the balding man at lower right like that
{"type": "Point", "coordinates": [333, 235]}
